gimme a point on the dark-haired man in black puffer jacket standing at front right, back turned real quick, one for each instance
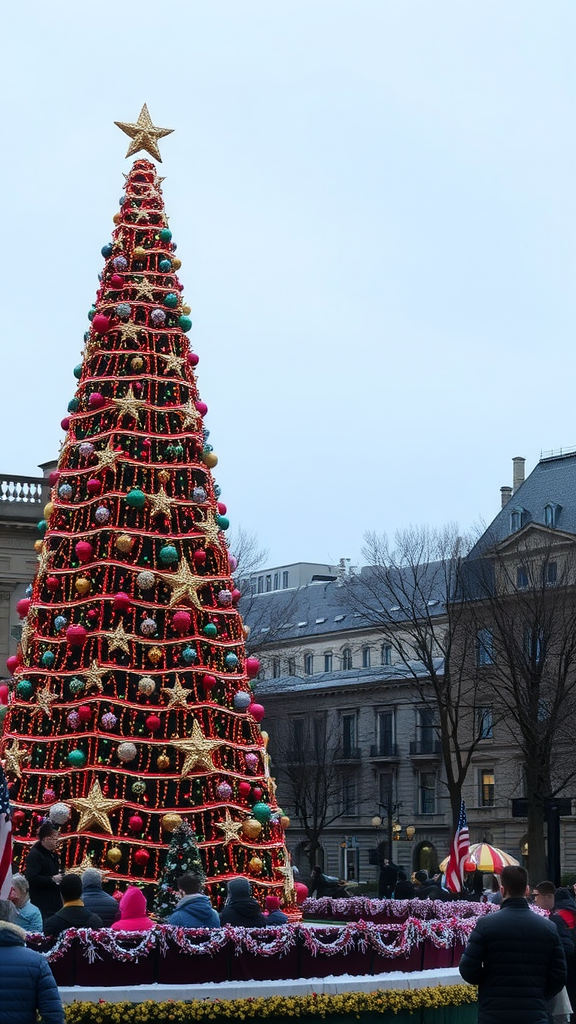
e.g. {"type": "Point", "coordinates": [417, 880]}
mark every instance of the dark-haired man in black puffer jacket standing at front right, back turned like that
{"type": "Point", "coordinates": [516, 959]}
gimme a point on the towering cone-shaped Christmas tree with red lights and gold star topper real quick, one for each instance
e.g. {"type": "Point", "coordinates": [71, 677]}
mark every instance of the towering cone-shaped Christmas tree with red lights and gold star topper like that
{"type": "Point", "coordinates": [132, 709]}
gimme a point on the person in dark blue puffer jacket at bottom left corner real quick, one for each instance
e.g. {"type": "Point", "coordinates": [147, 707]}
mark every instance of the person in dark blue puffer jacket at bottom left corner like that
{"type": "Point", "coordinates": [27, 985]}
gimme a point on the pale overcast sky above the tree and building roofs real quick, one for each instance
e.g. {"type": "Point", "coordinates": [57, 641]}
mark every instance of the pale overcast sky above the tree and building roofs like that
{"type": "Point", "coordinates": [375, 206]}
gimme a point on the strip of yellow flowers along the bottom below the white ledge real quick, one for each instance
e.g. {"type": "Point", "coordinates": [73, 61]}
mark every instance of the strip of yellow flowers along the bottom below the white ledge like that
{"type": "Point", "coordinates": [349, 1004]}
